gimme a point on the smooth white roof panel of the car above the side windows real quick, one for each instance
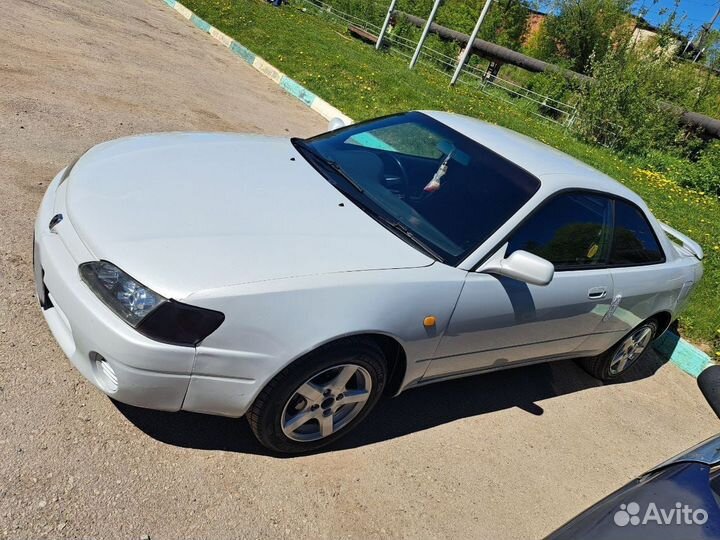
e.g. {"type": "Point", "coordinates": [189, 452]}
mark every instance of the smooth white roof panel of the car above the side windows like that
{"type": "Point", "coordinates": [556, 170]}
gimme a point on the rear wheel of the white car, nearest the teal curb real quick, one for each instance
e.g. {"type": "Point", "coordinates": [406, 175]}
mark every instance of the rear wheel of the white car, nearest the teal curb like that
{"type": "Point", "coordinates": [609, 365]}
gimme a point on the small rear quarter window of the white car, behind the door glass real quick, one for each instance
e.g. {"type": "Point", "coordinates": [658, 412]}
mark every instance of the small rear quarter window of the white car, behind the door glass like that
{"type": "Point", "coordinates": [633, 240]}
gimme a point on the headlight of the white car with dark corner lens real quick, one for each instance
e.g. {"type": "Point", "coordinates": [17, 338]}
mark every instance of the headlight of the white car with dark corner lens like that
{"type": "Point", "coordinates": [148, 312]}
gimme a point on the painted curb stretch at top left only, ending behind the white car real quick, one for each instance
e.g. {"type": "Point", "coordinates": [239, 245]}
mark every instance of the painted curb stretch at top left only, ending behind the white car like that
{"type": "Point", "coordinates": [292, 87]}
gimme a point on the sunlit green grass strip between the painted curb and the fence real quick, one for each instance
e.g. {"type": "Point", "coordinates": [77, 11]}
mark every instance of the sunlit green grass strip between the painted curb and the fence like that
{"type": "Point", "coordinates": [364, 83]}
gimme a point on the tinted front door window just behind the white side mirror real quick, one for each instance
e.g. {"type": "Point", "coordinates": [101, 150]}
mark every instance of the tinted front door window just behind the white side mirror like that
{"type": "Point", "coordinates": [570, 231]}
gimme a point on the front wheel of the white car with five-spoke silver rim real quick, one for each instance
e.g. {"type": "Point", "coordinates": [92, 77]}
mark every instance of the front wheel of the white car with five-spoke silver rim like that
{"type": "Point", "coordinates": [291, 413]}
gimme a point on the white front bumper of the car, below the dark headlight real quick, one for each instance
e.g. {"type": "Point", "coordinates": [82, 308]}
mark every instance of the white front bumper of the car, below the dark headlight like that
{"type": "Point", "coordinates": [141, 372]}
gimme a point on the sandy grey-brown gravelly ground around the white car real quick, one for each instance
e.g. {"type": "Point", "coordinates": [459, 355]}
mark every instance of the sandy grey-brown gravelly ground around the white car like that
{"type": "Point", "coordinates": [506, 455]}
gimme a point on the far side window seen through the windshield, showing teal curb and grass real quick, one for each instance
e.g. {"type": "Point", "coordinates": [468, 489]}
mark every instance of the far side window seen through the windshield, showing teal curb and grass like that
{"type": "Point", "coordinates": [408, 138]}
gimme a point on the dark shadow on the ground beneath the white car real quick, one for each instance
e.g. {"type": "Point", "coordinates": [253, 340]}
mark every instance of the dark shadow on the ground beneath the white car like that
{"type": "Point", "coordinates": [414, 410]}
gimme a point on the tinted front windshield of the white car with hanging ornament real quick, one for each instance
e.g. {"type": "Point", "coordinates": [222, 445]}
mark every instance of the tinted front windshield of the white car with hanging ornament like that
{"type": "Point", "coordinates": [441, 190]}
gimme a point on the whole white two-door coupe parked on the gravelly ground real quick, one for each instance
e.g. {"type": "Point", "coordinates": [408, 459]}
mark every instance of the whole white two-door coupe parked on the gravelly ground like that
{"type": "Point", "coordinates": [296, 281]}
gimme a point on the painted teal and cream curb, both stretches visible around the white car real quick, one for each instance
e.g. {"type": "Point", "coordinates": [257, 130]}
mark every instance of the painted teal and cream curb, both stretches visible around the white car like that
{"type": "Point", "coordinates": [681, 353]}
